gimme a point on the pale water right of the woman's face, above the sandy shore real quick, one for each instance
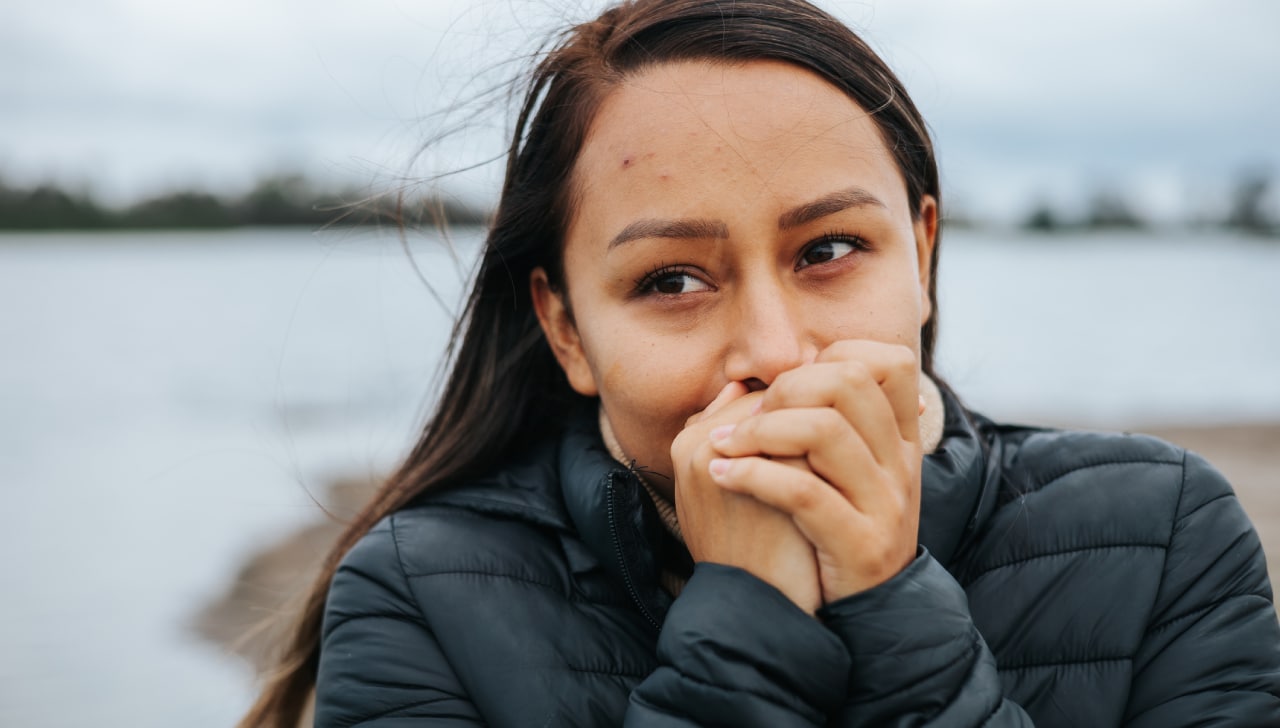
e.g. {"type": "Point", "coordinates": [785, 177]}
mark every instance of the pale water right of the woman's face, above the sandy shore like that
{"type": "Point", "coordinates": [1114, 331]}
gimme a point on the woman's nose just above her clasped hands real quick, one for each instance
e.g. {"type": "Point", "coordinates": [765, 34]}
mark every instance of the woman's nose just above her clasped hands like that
{"type": "Point", "coordinates": [769, 336]}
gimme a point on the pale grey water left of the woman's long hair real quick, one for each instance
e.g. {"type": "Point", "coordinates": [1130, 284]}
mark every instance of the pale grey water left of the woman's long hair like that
{"type": "Point", "coordinates": [166, 404]}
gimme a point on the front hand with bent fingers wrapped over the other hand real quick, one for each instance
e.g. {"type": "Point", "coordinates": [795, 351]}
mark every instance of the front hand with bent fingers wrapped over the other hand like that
{"type": "Point", "coordinates": [854, 418]}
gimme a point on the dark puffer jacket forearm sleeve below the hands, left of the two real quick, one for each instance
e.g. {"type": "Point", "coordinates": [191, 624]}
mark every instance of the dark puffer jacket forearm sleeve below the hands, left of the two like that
{"type": "Point", "coordinates": [737, 652]}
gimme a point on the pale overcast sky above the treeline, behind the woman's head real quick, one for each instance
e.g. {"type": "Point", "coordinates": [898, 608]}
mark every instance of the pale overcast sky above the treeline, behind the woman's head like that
{"type": "Point", "coordinates": [1164, 102]}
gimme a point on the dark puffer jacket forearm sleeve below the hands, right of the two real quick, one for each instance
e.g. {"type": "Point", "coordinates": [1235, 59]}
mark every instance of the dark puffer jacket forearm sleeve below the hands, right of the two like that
{"type": "Point", "coordinates": [917, 656]}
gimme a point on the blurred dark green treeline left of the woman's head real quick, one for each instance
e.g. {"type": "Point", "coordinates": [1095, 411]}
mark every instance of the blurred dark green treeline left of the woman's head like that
{"type": "Point", "coordinates": [282, 200]}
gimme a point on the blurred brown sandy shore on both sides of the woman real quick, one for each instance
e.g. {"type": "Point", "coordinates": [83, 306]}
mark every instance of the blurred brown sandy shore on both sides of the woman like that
{"type": "Point", "coordinates": [246, 617]}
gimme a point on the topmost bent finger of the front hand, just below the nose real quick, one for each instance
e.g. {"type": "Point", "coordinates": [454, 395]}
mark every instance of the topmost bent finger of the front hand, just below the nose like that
{"type": "Point", "coordinates": [852, 390]}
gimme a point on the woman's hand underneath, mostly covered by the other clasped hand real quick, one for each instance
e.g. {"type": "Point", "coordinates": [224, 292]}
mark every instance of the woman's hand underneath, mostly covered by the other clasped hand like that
{"type": "Point", "coordinates": [732, 529]}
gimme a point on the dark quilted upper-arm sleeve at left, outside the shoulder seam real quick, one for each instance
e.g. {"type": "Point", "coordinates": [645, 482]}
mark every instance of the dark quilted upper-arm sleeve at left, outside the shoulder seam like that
{"type": "Point", "coordinates": [381, 666]}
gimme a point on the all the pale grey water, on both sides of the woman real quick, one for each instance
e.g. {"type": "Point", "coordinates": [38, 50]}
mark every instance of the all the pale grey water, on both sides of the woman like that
{"type": "Point", "coordinates": [167, 401]}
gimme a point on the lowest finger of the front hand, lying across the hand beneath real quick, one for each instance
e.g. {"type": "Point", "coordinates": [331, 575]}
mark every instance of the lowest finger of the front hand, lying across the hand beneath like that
{"type": "Point", "coordinates": [819, 511]}
